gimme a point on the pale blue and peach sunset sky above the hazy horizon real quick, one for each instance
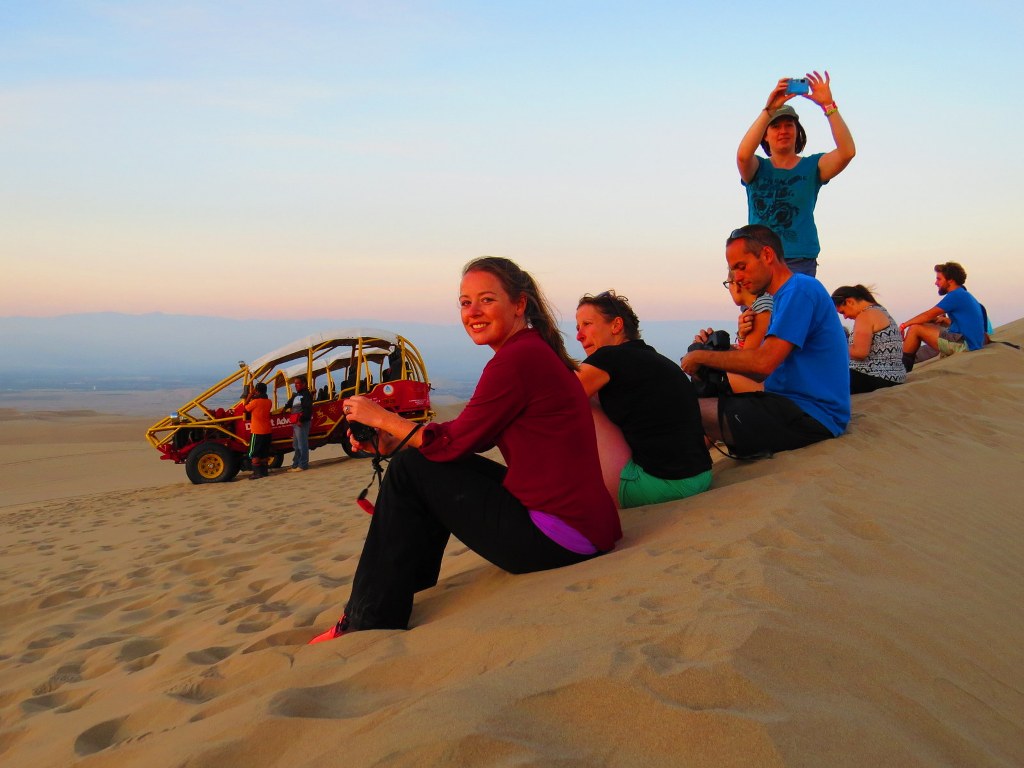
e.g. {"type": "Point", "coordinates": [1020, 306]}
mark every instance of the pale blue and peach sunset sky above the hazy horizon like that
{"type": "Point", "coordinates": [345, 159]}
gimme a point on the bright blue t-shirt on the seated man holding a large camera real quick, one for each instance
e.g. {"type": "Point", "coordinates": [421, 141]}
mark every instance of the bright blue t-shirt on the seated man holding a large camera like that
{"type": "Point", "coordinates": [816, 375]}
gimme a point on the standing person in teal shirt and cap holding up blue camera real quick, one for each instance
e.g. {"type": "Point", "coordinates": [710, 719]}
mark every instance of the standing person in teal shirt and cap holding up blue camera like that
{"type": "Point", "coordinates": [783, 189]}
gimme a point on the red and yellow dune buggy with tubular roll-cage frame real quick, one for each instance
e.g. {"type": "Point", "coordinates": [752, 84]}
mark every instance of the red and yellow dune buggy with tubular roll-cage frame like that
{"type": "Point", "coordinates": [211, 437]}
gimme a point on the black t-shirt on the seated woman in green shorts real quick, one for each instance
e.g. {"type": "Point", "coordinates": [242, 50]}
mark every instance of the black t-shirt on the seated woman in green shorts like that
{"type": "Point", "coordinates": [653, 402]}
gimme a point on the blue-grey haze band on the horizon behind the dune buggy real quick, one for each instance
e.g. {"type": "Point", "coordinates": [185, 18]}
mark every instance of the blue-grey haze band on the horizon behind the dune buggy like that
{"type": "Point", "coordinates": [142, 353]}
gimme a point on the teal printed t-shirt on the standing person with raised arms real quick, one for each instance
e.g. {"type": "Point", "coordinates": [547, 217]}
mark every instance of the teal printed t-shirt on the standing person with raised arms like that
{"type": "Point", "coordinates": [784, 201]}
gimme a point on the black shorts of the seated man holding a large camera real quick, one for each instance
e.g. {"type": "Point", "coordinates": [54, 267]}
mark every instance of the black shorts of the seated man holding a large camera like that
{"type": "Point", "coordinates": [755, 423]}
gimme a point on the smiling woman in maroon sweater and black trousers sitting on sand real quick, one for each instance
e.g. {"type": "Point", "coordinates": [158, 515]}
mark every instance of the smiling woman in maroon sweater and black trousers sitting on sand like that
{"type": "Point", "coordinates": [546, 508]}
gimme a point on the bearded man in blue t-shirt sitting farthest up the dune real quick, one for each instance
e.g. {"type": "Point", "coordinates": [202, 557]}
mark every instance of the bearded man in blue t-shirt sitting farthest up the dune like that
{"type": "Point", "coordinates": [957, 324]}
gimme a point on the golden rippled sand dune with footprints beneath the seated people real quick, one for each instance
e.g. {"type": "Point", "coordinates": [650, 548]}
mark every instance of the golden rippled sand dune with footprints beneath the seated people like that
{"type": "Point", "coordinates": [856, 604]}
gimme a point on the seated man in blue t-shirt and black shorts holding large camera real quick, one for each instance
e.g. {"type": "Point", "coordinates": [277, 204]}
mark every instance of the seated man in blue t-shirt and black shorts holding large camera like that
{"type": "Point", "coordinates": [803, 360]}
